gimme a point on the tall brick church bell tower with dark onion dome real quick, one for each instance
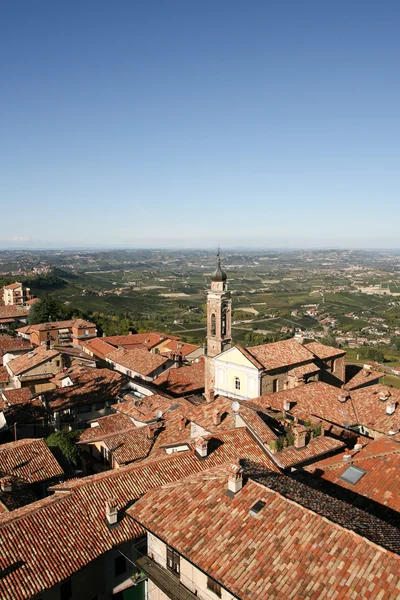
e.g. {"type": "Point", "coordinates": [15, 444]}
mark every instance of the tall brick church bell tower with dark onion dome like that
{"type": "Point", "coordinates": [219, 324]}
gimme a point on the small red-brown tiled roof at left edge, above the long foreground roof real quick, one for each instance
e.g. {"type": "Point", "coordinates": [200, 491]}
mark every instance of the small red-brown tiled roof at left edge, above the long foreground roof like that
{"type": "Point", "coordinates": [30, 460]}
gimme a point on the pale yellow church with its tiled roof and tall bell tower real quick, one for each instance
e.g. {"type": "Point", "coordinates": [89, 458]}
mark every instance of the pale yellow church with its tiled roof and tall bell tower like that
{"type": "Point", "coordinates": [246, 373]}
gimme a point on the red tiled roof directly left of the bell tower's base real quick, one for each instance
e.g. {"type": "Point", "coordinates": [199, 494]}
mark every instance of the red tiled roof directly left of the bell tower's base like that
{"type": "Point", "coordinates": [184, 380]}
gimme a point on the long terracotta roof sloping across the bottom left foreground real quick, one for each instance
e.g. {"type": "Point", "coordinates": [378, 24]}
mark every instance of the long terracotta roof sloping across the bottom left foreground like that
{"type": "Point", "coordinates": [61, 534]}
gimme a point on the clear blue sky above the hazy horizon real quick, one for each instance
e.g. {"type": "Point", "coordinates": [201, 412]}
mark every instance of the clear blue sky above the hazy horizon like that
{"type": "Point", "coordinates": [188, 124]}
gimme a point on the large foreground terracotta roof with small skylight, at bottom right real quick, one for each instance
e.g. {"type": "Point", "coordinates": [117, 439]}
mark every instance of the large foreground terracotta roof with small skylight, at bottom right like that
{"type": "Point", "coordinates": [284, 551]}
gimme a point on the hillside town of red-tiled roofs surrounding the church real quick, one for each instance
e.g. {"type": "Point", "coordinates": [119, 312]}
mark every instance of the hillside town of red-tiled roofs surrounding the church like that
{"type": "Point", "coordinates": [142, 466]}
